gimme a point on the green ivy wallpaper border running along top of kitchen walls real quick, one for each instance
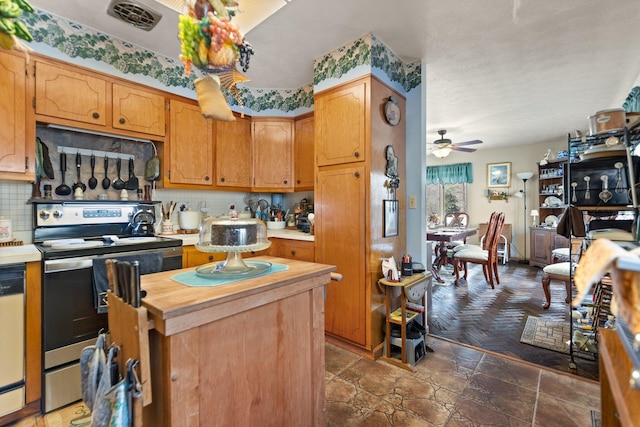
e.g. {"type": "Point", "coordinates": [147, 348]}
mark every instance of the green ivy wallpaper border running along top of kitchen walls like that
{"type": "Point", "coordinates": [77, 41]}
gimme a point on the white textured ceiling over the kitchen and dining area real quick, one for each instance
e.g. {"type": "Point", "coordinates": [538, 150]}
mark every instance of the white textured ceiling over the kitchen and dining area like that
{"type": "Point", "coordinates": [506, 72]}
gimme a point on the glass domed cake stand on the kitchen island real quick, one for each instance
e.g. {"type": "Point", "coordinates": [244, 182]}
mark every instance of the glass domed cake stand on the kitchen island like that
{"type": "Point", "coordinates": [233, 236]}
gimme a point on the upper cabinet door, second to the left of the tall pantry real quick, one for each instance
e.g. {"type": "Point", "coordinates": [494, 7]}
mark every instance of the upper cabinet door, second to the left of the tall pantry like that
{"type": "Point", "coordinates": [272, 155]}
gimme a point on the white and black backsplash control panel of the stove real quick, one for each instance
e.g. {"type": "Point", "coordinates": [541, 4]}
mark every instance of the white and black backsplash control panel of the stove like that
{"type": "Point", "coordinates": [61, 214]}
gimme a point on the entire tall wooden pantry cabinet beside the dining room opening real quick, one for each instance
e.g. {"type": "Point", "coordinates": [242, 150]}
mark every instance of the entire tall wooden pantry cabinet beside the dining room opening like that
{"type": "Point", "coordinates": [351, 136]}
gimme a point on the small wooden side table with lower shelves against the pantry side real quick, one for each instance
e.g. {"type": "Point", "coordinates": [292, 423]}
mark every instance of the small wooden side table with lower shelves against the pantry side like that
{"type": "Point", "coordinates": [406, 285]}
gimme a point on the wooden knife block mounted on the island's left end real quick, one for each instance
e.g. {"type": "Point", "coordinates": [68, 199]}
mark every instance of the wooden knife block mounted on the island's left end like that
{"type": "Point", "coordinates": [129, 328]}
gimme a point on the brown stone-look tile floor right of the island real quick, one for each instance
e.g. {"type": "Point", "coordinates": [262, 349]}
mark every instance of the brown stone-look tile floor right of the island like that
{"type": "Point", "coordinates": [454, 386]}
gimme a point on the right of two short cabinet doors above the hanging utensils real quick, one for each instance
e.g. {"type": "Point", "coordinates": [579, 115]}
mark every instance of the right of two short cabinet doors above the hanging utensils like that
{"type": "Point", "coordinates": [138, 111]}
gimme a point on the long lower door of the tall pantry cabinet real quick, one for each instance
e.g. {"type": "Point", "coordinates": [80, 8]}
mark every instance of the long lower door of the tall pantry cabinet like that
{"type": "Point", "coordinates": [340, 226]}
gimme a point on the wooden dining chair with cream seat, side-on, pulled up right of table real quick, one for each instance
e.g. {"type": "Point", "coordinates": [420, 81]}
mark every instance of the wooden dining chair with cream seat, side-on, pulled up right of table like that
{"type": "Point", "coordinates": [486, 256]}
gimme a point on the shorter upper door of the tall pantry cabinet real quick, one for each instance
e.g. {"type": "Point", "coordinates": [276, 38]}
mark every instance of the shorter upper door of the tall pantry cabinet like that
{"type": "Point", "coordinates": [342, 123]}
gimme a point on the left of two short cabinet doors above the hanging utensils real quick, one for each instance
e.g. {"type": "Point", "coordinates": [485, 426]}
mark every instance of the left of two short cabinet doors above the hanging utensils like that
{"type": "Point", "coordinates": [66, 94]}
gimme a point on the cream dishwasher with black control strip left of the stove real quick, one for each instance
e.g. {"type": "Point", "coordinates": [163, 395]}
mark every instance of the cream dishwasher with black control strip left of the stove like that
{"type": "Point", "coordinates": [12, 337]}
